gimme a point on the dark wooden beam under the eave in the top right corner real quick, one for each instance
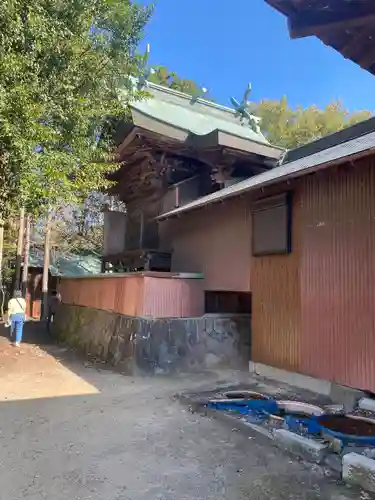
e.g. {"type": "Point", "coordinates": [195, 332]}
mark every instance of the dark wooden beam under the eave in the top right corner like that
{"type": "Point", "coordinates": [312, 22]}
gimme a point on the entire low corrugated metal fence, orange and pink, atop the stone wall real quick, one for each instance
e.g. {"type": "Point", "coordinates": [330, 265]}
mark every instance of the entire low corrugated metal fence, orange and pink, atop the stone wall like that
{"type": "Point", "coordinates": [137, 295]}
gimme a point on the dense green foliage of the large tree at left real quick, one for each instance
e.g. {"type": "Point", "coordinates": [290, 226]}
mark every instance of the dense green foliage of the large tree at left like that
{"type": "Point", "coordinates": [61, 64]}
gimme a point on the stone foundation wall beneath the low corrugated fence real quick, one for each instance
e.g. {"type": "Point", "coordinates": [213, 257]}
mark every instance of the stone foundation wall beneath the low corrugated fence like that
{"type": "Point", "coordinates": [146, 345]}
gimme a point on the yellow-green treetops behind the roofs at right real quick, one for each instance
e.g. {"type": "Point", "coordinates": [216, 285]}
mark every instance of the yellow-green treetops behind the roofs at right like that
{"type": "Point", "coordinates": [290, 128]}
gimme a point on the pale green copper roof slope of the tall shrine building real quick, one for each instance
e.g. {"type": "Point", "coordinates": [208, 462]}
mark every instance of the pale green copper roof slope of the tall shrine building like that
{"type": "Point", "coordinates": [197, 116]}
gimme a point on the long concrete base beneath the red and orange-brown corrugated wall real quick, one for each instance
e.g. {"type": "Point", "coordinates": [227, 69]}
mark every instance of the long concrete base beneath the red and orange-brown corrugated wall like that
{"type": "Point", "coordinates": [338, 393]}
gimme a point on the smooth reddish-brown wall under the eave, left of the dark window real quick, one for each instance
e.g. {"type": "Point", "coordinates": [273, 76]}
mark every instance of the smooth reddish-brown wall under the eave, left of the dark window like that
{"type": "Point", "coordinates": [215, 241]}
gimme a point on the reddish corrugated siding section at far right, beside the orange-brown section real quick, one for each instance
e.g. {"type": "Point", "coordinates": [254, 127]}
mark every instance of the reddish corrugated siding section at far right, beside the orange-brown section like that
{"type": "Point", "coordinates": [338, 276]}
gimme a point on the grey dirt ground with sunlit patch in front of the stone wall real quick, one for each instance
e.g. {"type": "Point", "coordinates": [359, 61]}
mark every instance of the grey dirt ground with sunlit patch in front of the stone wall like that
{"type": "Point", "coordinates": [70, 430]}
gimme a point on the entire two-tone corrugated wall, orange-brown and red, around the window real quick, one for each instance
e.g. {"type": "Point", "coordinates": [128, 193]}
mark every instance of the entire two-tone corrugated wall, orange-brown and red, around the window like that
{"type": "Point", "coordinates": [313, 311]}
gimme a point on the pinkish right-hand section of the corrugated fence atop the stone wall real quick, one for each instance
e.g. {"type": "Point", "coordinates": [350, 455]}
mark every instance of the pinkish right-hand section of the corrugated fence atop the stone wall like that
{"type": "Point", "coordinates": [173, 298]}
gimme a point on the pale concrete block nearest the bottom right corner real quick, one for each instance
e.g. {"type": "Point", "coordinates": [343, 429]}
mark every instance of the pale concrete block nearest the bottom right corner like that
{"type": "Point", "coordinates": [359, 470]}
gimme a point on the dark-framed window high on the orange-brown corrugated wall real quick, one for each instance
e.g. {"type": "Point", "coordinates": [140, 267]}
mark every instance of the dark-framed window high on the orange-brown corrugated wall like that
{"type": "Point", "coordinates": [271, 225]}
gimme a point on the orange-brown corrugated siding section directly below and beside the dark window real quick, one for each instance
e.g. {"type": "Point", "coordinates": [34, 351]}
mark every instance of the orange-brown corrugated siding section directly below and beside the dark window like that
{"type": "Point", "coordinates": [276, 318]}
